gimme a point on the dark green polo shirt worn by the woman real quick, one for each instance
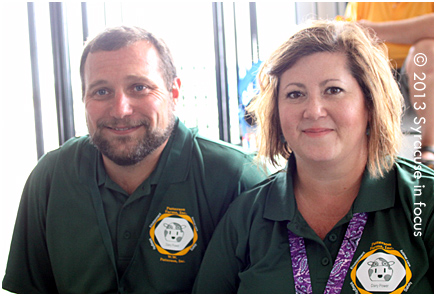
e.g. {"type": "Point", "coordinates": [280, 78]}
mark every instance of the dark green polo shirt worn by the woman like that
{"type": "Point", "coordinates": [249, 252]}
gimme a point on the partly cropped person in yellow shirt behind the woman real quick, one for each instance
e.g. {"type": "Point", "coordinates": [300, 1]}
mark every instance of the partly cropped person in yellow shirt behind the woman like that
{"type": "Point", "coordinates": [408, 30]}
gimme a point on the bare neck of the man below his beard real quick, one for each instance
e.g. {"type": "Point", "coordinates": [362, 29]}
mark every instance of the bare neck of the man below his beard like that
{"type": "Point", "coordinates": [130, 177]}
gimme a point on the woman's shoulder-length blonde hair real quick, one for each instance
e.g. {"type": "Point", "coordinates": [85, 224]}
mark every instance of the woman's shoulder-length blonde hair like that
{"type": "Point", "coordinates": [367, 62]}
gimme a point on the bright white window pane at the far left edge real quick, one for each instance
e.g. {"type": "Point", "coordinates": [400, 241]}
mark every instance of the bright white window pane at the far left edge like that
{"type": "Point", "coordinates": [18, 141]}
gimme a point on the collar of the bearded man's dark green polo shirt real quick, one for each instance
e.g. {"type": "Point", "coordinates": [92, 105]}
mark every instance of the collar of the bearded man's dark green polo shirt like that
{"type": "Point", "coordinates": [179, 143]}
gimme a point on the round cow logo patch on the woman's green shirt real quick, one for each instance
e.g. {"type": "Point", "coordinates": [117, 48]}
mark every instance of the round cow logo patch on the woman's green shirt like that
{"type": "Point", "coordinates": [381, 270]}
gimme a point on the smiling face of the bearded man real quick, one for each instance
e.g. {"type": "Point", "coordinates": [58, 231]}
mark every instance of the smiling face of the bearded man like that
{"type": "Point", "coordinates": [129, 110]}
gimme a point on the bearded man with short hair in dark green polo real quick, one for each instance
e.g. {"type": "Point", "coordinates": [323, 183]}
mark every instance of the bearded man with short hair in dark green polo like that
{"type": "Point", "coordinates": [131, 207]}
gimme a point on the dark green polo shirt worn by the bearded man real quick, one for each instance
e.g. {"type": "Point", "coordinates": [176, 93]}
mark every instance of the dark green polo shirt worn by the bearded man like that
{"type": "Point", "coordinates": [78, 232]}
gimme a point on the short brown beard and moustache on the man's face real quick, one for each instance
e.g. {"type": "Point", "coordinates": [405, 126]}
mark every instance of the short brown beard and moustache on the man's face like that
{"type": "Point", "coordinates": [137, 151]}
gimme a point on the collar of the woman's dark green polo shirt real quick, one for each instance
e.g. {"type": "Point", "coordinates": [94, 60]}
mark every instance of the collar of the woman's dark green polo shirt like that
{"type": "Point", "coordinates": [374, 194]}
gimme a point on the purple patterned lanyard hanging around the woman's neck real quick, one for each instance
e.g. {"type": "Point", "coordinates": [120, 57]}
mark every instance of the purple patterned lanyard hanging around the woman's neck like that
{"type": "Point", "coordinates": [300, 266]}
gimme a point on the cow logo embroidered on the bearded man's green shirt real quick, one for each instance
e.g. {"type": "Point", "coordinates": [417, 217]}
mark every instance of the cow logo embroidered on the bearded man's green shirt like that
{"type": "Point", "coordinates": [174, 234]}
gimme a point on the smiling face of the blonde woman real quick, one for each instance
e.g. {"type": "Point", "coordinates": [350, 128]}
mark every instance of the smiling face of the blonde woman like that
{"type": "Point", "coordinates": [322, 110]}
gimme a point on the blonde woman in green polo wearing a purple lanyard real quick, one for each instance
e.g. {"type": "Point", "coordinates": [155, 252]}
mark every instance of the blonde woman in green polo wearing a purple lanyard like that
{"type": "Point", "coordinates": [347, 215]}
